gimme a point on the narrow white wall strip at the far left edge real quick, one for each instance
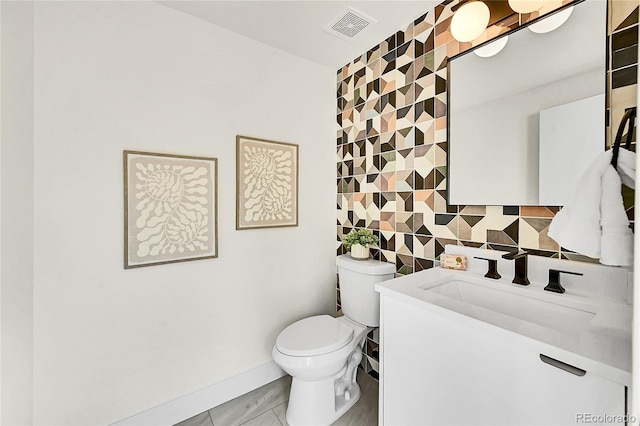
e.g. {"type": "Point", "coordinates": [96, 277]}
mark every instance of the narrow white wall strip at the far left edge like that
{"type": "Point", "coordinates": [16, 214]}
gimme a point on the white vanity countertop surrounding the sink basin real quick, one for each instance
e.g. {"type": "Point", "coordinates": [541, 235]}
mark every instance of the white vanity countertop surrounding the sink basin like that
{"type": "Point", "coordinates": [603, 346]}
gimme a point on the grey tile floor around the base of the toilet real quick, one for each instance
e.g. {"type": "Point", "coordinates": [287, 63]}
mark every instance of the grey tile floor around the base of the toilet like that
{"type": "Point", "coordinates": [266, 406]}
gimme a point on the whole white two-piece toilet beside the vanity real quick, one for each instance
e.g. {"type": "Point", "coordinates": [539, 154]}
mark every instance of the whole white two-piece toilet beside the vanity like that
{"type": "Point", "coordinates": [322, 353]}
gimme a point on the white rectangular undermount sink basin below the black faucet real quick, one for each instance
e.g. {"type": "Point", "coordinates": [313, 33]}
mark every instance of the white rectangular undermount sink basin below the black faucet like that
{"type": "Point", "coordinates": [547, 310]}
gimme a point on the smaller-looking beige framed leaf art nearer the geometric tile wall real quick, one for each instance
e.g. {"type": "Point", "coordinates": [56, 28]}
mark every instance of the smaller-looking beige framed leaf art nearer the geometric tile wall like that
{"type": "Point", "coordinates": [266, 183]}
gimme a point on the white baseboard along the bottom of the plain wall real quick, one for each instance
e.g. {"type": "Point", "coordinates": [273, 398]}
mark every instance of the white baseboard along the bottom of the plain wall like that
{"type": "Point", "coordinates": [187, 406]}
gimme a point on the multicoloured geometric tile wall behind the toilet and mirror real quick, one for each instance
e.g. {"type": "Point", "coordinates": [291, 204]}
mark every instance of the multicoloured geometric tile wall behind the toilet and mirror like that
{"type": "Point", "coordinates": [391, 145]}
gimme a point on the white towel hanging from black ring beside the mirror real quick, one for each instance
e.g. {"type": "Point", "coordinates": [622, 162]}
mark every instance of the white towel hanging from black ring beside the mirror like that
{"type": "Point", "coordinates": [594, 222]}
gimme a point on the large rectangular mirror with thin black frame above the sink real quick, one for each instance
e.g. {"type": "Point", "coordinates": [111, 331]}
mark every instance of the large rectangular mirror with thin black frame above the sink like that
{"type": "Point", "coordinates": [524, 124]}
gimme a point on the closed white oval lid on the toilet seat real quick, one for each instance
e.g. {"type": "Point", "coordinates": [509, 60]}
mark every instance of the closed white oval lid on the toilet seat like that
{"type": "Point", "coordinates": [314, 336]}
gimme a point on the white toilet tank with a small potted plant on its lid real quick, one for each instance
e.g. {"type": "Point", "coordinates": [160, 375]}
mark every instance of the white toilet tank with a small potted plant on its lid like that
{"type": "Point", "coordinates": [360, 302]}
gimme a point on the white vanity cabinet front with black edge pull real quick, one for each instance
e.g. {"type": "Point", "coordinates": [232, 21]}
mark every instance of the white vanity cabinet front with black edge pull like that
{"type": "Point", "coordinates": [441, 368]}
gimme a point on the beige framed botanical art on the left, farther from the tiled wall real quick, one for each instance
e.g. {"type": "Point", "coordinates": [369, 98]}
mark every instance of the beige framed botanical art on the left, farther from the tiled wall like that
{"type": "Point", "coordinates": [170, 208]}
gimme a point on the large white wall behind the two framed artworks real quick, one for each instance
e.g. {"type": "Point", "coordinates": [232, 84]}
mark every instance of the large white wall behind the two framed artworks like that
{"type": "Point", "coordinates": [109, 76]}
